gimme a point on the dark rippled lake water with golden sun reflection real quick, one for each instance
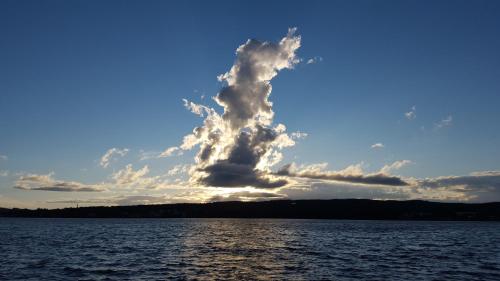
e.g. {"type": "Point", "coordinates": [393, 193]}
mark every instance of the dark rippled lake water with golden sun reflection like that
{"type": "Point", "coordinates": [247, 249]}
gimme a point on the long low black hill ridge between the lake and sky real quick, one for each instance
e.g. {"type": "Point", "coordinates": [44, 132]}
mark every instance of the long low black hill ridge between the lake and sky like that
{"type": "Point", "coordinates": [297, 209]}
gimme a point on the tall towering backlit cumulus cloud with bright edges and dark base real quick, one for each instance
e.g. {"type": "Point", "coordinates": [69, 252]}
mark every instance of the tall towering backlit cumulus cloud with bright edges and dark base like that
{"type": "Point", "coordinates": [238, 147]}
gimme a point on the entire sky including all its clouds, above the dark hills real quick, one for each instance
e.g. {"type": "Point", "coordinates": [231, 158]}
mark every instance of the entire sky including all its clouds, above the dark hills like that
{"type": "Point", "coordinates": [143, 102]}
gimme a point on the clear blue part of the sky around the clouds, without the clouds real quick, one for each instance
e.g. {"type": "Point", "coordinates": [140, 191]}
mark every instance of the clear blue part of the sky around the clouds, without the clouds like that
{"type": "Point", "coordinates": [80, 77]}
